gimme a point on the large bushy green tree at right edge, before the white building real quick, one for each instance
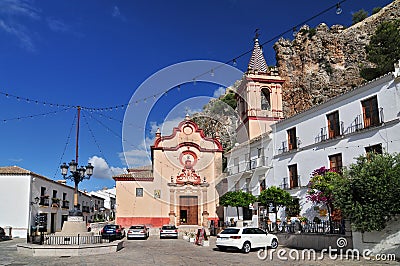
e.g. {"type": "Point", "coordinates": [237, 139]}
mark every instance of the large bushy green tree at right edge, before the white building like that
{"type": "Point", "coordinates": [368, 193]}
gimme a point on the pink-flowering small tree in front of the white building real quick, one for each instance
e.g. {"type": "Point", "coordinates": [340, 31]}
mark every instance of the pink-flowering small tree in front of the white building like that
{"type": "Point", "coordinates": [321, 186]}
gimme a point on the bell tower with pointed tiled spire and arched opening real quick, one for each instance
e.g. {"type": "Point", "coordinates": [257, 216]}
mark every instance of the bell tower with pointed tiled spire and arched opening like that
{"type": "Point", "coordinates": [259, 97]}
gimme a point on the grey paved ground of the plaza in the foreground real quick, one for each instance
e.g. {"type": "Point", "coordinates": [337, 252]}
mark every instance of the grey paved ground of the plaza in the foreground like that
{"type": "Point", "coordinates": [164, 252]}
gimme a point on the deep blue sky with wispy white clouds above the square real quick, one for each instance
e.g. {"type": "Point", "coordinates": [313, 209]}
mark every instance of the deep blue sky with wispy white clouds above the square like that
{"type": "Point", "coordinates": [97, 53]}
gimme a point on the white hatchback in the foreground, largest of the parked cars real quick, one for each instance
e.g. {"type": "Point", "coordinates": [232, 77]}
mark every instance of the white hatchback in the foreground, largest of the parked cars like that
{"type": "Point", "coordinates": [245, 239]}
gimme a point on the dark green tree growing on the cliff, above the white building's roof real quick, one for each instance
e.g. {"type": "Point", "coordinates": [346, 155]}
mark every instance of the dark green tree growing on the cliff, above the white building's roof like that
{"type": "Point", "coordinates": [383, 50]}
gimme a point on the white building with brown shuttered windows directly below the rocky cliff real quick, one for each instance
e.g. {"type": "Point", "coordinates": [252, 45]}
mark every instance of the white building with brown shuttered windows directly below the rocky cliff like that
{"type": "Point", "coordinates": [333, 134]}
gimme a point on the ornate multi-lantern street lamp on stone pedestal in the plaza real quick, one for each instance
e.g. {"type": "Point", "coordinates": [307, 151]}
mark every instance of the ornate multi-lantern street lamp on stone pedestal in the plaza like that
{"type": "Point", "coordinates": [77, 175]}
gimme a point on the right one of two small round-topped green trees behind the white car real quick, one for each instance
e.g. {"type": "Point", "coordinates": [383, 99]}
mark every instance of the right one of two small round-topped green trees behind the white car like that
{"type": "Point", "coordinates": [275, 196]}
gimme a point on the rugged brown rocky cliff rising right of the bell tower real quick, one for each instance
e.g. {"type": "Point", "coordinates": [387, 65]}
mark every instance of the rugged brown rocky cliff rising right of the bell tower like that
{"type": "Point", "coordinates": [324, 62]}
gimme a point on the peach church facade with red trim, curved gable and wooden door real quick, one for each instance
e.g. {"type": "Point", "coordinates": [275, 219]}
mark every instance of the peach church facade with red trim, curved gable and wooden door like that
{"type": "Point", "coordinates": [181, 185]}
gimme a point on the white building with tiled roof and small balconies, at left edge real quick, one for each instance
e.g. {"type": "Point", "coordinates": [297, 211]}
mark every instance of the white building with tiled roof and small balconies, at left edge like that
{"type": "Point", "coordinates": [26, 195]}
